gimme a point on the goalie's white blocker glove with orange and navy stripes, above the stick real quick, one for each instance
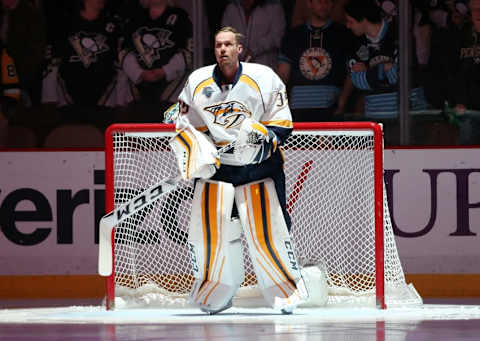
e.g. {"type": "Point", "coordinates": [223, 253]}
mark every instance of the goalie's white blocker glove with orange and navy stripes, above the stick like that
{"type": "Point", "coordinates": [196, 155]}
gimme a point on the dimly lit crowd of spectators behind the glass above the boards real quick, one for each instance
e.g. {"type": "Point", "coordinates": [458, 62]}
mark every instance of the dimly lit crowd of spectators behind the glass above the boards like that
{"type": "Point", "coordinates": [91, 63]}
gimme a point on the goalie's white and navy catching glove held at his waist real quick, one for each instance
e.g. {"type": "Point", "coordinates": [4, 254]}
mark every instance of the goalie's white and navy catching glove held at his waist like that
{"type": "Point", "coordinates": [255, 143]}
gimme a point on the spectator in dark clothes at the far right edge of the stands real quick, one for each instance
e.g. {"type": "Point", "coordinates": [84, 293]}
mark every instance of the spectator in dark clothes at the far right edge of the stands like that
{"type": "Point", "coordinates": [465, 68]}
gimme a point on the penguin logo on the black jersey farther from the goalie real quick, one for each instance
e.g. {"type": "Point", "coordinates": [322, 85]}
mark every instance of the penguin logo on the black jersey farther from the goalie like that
{"type": "Point", "coordinates": [87, 47]}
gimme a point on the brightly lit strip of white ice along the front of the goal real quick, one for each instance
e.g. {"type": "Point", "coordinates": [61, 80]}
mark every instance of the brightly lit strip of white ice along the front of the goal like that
{"type": "Point", "coordinates": [98, 314]}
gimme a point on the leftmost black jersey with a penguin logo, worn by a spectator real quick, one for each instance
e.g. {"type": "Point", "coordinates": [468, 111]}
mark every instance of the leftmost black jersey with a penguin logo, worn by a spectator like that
{"type": "Point", "coordinates": [87, 51]}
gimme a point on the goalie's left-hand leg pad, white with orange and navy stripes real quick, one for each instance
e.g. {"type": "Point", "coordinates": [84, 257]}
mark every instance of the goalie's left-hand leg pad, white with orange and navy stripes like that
{"type": "Point", "coordinates": [215, 246]}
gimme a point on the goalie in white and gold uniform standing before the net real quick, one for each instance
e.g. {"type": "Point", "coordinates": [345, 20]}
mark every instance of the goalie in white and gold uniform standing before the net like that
{"type": "Point", "coordinates": [241, 191]}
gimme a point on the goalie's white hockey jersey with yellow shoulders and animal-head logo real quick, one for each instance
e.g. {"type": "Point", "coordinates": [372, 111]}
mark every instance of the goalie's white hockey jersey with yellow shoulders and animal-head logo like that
{"type": "Point", "coordinates": [219, 109]}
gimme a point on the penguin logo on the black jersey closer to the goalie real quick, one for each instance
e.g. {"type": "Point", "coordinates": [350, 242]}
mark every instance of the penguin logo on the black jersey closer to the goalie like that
{"type": "Point", "coordinates": [150, 41]}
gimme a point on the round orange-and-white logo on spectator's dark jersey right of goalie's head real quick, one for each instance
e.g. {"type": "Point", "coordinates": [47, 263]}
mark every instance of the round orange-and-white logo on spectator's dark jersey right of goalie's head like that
{"type": "Point", "coordinates": [315, 63]}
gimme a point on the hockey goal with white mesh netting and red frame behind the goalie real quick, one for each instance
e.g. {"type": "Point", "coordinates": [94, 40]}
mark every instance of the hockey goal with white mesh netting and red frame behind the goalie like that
{"type": "Point", "coordinates": [335, 196]}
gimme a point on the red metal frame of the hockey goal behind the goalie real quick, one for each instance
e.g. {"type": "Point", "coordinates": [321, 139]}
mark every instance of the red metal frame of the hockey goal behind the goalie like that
{"type": "Point", "coordinates": [375, 128]}
